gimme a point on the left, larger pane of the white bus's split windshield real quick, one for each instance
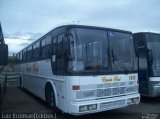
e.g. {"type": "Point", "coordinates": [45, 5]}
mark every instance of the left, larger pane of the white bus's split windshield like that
{"type": "Point", "coordinates": [89, 52]}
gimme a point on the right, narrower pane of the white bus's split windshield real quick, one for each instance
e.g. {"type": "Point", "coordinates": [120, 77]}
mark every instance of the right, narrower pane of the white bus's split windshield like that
{"type": "Point", "coordinates": [122, 51]}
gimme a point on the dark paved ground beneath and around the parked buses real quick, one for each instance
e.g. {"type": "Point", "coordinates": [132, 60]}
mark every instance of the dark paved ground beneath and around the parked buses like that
{"type": "Point", "coordinates": [17, 100]}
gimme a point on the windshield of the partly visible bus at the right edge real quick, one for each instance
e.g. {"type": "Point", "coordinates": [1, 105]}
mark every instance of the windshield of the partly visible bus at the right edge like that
{"type": "Point", "coordinates": [153, 42]}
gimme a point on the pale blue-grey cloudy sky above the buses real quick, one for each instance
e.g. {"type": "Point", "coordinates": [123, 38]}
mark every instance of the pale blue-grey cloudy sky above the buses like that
{"type": "Point", "coordinates": [23, 21]}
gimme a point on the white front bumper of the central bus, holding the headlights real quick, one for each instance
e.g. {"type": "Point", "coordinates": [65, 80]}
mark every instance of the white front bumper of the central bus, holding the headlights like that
{"type": "Point", "coordinates": [102, 104]}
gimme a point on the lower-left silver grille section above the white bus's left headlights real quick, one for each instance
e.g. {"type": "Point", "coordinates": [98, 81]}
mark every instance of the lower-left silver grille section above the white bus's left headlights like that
{"type": "Point", "coordinates": [85, 94]}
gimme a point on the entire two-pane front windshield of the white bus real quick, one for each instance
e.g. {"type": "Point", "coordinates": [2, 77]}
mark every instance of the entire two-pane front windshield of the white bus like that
{"type": "Point", "coordinates": [90, 51]}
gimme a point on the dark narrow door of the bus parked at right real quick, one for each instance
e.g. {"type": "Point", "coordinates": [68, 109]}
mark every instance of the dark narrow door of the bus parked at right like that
{"type": "Point", "coordinates": [143, 72]}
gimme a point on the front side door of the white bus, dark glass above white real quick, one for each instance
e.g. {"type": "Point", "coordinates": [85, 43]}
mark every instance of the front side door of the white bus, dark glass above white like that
{"type": "Point", "coordinates": [59, 66]}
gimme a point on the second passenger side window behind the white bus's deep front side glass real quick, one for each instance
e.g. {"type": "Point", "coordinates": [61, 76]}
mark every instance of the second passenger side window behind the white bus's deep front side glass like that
{"type": "Point", "coordinates": [36, 50]}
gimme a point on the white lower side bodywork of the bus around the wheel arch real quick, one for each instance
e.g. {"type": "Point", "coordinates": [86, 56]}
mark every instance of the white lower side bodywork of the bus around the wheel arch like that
{"type": "Point", "coordinates": [40, 73]}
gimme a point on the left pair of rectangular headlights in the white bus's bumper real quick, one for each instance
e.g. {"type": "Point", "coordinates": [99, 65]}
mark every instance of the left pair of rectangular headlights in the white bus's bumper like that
{"type": "Point", "coordinates": [90, 107]}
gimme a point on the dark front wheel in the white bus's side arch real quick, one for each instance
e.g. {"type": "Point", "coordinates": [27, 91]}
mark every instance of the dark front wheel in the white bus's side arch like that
{"type": "Point", "coordinates": [50, 97]}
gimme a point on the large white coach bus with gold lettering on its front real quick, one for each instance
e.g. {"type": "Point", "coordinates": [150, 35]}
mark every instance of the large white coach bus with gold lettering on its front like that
{"type": "Point", "coordinates": [81, 69]}
